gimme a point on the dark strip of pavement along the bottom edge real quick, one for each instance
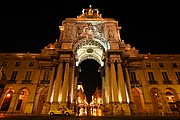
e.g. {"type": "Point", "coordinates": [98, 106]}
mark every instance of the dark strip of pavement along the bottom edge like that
{"type": "Point", "coordinates": [45, 117]}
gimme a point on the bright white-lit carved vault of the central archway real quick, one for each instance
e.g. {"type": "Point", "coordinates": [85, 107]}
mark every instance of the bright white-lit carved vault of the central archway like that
{"type": "Point", "coordinates": [90, 49]}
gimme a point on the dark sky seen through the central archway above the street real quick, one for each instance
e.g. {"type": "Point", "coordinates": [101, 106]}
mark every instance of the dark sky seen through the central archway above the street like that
{"type": "Point", "coordinates": [90, 78]}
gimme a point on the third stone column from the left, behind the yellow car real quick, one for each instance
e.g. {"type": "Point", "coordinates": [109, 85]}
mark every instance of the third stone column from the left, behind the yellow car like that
{"type": "Point", "coordinates": [65, 84]}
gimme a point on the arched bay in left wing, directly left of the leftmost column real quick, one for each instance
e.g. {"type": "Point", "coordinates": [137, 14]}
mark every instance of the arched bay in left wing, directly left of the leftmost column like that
{"type": "Point", "coordinates": [40, 99]}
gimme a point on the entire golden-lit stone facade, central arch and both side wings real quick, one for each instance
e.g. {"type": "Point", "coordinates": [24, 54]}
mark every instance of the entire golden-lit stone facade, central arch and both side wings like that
{"type": "Point", "coordinates": [132, 83]}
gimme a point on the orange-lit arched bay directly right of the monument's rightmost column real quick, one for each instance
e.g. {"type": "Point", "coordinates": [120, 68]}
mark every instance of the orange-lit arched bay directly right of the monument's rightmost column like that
{"type": "Point", "coordinates": [138, 100]}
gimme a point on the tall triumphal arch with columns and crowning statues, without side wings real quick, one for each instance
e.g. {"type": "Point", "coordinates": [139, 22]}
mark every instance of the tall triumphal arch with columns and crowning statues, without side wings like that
{"type": "Point", "coordinates": [90, 36]}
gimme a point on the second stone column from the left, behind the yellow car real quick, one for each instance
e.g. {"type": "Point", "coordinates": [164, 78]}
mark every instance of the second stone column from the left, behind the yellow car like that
{"type": "Point", "coordinates": [58, 84]}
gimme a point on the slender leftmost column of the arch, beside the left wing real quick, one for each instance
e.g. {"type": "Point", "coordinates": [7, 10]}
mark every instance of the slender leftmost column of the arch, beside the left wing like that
{"type": "Point", "coordinates": [46, 106]}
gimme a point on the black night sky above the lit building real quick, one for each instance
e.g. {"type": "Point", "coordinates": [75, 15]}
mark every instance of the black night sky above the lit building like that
{"type": "Point", "coordinates": [150, 26]}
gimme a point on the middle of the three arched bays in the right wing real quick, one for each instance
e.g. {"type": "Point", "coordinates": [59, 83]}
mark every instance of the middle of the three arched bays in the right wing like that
{"type": "Point", "coordinates": [157, 100]}
